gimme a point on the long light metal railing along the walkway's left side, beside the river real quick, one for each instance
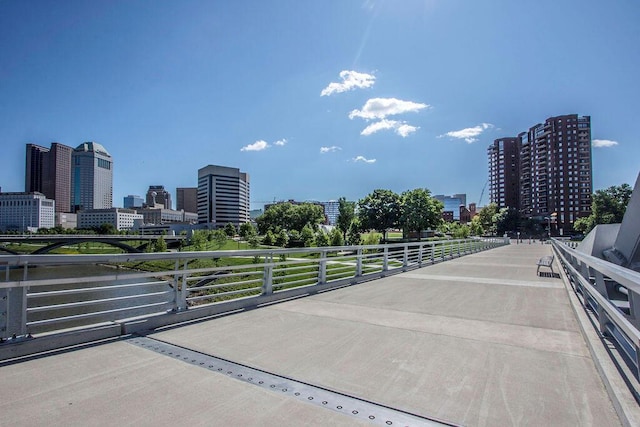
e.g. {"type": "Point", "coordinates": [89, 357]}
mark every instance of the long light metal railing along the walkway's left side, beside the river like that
{"type": "Point", "coordinates": [44, 294]}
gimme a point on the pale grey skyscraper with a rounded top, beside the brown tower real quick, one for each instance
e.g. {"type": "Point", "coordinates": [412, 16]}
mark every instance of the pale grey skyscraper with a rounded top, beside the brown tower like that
{"type": "Point", "coordinates": [92, 177]}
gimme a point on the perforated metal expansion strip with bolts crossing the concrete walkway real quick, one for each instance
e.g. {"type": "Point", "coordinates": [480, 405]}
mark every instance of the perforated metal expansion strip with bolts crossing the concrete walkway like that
{"type": "Point", "coordinates": [344, 404]}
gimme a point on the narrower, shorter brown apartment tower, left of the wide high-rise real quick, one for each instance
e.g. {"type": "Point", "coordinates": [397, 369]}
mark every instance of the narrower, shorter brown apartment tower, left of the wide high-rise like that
{"type": "Point", "coordinates": [504, 179]}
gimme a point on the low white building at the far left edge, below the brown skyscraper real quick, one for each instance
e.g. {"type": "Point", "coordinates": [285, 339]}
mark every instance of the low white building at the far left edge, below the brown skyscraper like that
{"type": "Point", "coordinates": [25, 212]}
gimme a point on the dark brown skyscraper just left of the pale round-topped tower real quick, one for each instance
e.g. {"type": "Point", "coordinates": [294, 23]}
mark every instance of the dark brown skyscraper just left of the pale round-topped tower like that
{"type": "Point", "coordinates": [48, 171]}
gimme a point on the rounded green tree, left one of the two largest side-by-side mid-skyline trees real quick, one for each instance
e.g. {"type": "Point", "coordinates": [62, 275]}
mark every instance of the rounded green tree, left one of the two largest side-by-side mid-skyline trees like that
{"type": "Point", "coordinates": [380, 211]}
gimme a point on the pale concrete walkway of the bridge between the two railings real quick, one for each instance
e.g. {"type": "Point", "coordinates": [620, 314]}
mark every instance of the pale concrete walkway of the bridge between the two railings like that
{"type": "Point", "coordinates": [479, 341]}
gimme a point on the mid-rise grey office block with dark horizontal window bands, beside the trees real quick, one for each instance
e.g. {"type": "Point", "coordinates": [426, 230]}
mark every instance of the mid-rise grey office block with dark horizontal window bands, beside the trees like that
{"type": "Point", "coordinates": [223, 196]}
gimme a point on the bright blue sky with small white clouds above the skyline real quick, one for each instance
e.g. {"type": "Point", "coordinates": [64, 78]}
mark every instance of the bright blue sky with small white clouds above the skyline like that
{"type": "Point", "coordinates": [315, 100]}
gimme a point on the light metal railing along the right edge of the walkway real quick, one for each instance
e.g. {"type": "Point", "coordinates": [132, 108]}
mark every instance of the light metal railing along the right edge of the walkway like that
{"type": "Point", "coordinates": [611, 293]}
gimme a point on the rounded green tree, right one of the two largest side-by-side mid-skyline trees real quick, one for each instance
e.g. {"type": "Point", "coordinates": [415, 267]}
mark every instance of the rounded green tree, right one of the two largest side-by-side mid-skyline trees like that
{"type": "Point", "coordinates": [420, 211]}
